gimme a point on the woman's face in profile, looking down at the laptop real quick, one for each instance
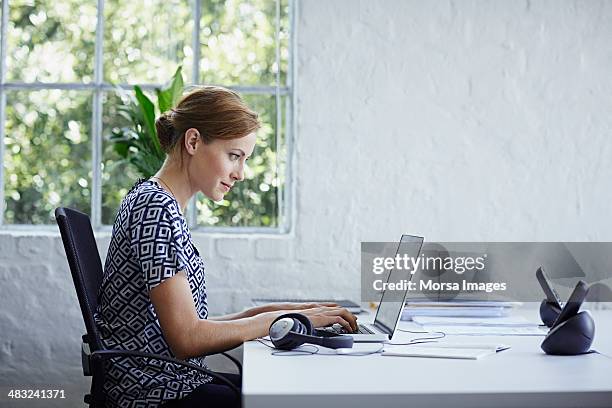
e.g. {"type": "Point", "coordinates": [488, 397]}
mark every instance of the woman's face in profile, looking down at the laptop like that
{"type": "Point", "coordinates": [215, 167]}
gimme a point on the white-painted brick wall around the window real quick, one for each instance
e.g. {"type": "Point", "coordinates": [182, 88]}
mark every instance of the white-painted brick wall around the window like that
{"type": "Point", "coordinates": [460, 120]}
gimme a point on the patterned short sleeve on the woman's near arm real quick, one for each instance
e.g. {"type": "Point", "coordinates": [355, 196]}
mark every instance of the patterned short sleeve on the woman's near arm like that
{"type": "Point", "coordinates": [158, 244]}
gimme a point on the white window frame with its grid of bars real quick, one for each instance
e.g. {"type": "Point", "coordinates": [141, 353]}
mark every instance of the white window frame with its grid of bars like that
{"type": "Point", "coordinates": [285, 191]}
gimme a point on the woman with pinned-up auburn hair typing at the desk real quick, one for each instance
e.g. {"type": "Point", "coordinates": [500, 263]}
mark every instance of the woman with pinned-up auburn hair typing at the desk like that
{"type": "Point", "coordinates": [153, 295]}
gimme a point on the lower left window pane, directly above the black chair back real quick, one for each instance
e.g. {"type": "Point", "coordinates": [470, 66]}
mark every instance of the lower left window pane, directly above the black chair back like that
{"type": "Point", "coordinates": [47, 160]}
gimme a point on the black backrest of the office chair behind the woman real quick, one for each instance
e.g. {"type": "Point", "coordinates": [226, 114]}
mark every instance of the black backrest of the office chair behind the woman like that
{"type": "Point", "coordinates": [85, 265]}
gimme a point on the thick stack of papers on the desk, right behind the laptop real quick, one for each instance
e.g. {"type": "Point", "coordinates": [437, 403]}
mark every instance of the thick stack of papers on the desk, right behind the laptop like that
{"type": "Point", "coordinates": [458, 308]}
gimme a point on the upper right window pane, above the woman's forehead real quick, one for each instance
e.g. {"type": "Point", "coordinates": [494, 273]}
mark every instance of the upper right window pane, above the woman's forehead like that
{"type": "Point", "coordinates": [238, 41]}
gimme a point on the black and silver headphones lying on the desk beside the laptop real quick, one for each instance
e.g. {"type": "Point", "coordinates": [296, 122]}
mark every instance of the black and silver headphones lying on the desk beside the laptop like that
{"type": "Point", "coordinates": [291, 330]}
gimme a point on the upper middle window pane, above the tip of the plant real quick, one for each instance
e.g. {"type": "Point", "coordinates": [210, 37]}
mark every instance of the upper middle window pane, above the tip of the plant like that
{"type": "Point", "coordinates": [144, 42]}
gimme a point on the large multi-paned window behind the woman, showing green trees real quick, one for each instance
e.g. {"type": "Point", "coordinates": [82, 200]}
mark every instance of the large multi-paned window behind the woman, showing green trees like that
{"type": "Point", "coordinates": [58, 100]}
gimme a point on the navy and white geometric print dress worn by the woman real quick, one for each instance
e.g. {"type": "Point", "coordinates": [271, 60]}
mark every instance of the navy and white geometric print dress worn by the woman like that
{"type": "Point", "coordinates": [150, 243]}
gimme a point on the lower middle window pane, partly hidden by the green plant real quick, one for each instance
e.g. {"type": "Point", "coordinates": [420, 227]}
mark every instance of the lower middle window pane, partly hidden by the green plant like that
{"type": "Point", "coordinates": [117, 176]}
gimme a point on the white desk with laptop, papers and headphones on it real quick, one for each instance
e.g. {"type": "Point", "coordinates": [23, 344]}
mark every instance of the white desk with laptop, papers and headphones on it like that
{"type": "Point", "coordinates": [520, 377]}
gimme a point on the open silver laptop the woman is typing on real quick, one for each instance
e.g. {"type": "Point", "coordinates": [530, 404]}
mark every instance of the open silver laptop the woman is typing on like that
{"type": "Point", "coordinates": [391, 303]}
